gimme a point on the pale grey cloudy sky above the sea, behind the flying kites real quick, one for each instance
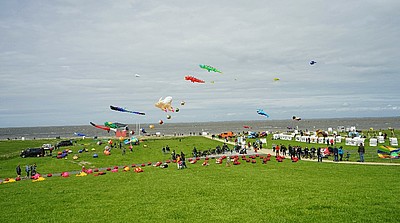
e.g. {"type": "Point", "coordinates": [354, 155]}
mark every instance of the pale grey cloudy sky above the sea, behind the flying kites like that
{"type": "Point", "coordinates": [65, 62]}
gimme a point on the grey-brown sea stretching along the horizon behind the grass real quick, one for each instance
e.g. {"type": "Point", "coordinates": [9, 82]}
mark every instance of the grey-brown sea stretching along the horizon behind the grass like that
{"type": "Point", "coordinates": [196, 128]}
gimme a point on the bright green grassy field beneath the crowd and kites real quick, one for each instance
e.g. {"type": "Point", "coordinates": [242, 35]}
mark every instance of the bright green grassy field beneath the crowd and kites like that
{"type": "Point", "coordinates": [275, 192]}
